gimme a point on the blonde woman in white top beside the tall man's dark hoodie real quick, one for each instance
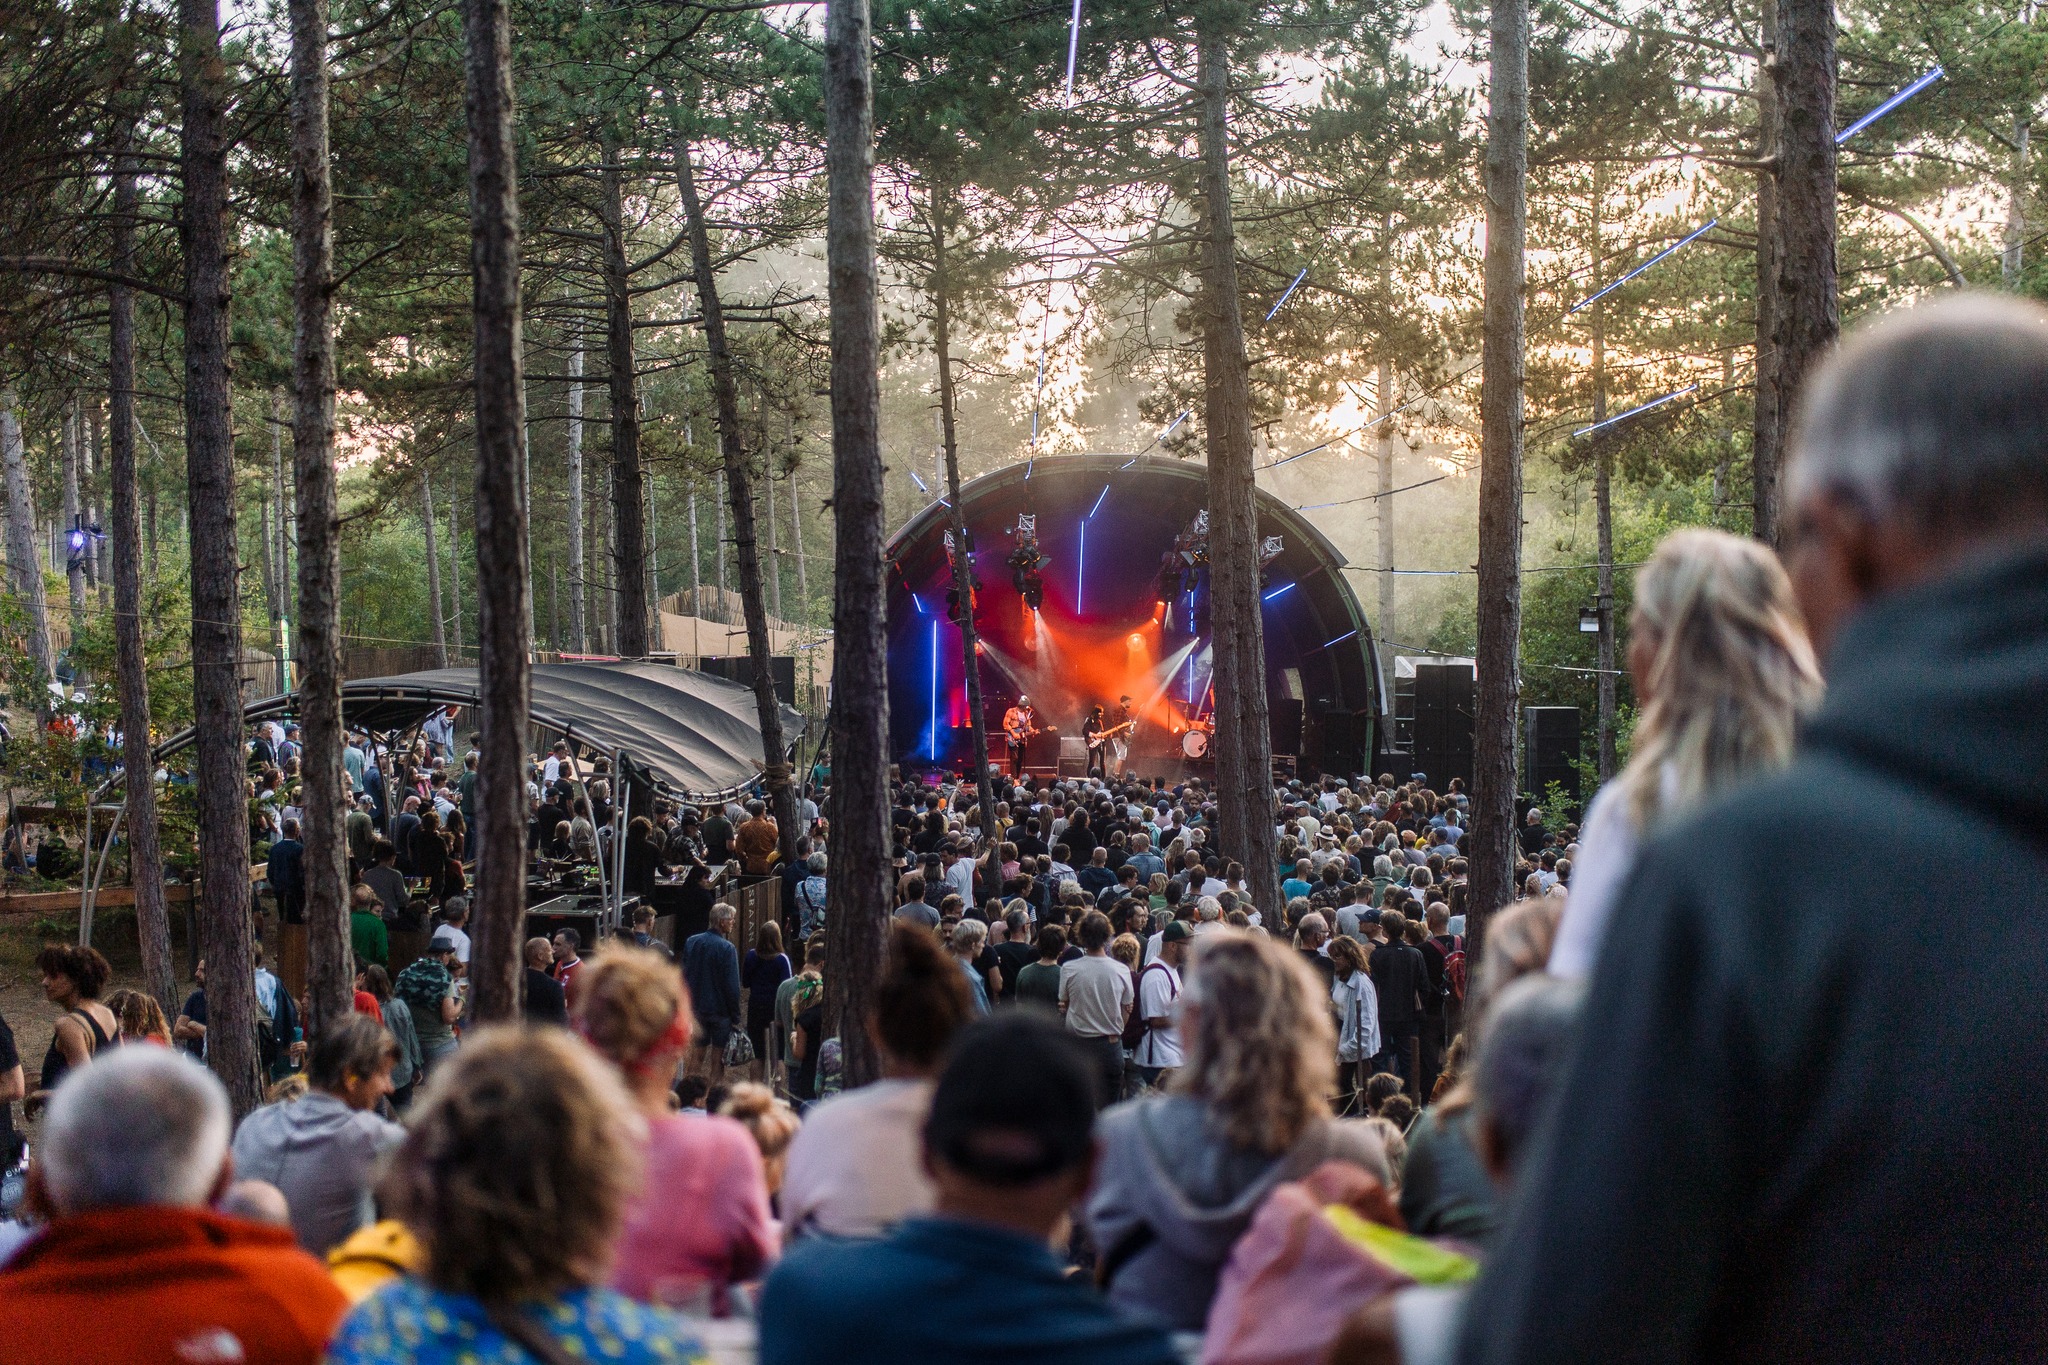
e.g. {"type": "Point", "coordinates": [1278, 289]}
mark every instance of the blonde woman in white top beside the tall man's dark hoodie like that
{"type": "Point", "coordinates": [1723, 672]}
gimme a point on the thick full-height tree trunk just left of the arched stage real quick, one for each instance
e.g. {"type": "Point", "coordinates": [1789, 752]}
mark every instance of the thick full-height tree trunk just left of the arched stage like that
{"type": "Point", "coordinates": [859, 893]}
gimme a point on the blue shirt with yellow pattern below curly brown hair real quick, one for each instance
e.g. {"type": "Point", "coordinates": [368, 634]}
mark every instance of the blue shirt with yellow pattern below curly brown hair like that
{"type": "Point", "coordinates": [411, 1323]}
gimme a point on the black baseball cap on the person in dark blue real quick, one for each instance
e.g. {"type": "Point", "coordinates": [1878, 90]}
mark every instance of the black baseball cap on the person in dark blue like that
{"type": "Point", "coordinates": [1017, 1102]}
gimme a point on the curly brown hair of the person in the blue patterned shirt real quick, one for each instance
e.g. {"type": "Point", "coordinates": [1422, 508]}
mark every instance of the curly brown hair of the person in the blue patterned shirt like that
{"type": "Point", "coordinates": [517, 1168]}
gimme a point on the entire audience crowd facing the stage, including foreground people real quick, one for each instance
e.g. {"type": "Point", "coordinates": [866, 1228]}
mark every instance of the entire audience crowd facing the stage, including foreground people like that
{"type": "Point", "coordinates": [1648, 1110]}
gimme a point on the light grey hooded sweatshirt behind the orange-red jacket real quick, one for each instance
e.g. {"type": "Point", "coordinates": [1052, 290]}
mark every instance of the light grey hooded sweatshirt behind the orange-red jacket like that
{"type": "Point", "coordinates": [325, 1157]}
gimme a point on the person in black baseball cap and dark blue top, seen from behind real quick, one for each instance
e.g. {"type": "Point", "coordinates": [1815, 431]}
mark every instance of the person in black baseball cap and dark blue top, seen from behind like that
{"type": "Point", "coordinates": [1009, 1145]}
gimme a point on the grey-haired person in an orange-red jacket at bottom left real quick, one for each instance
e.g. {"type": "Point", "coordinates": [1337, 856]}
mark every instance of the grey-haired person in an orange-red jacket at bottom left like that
{"type": "Point", "coordinates": [134, 1264]}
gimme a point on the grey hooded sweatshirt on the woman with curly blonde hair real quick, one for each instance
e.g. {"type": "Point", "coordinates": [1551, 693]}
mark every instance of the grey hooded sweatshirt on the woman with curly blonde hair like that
{"type": "Point", "coordinates": [1175, 1196]}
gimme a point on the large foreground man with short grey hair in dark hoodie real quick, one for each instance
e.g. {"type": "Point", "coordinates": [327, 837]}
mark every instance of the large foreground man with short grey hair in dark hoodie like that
{"type": "Point", "coordinates": [1730, 1172]}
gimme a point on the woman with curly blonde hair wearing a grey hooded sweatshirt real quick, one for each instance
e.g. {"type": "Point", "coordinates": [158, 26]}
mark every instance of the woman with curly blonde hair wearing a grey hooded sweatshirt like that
{"type": "Point", "coordinates": [1183, 1174]}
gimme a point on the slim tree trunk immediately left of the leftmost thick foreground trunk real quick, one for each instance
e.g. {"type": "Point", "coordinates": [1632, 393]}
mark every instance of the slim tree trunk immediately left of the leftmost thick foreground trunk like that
{"type": "Point", "coordinates": [144, 832]}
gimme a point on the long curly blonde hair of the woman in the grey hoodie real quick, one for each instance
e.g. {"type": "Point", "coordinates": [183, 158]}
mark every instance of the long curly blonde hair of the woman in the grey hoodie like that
{"type": "Point", "coordinates": [1261, 1047]}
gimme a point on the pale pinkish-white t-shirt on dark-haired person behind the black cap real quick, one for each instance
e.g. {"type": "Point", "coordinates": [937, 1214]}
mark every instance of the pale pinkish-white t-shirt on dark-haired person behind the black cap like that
{"type": "Point", "coordinates": [855, 1168]}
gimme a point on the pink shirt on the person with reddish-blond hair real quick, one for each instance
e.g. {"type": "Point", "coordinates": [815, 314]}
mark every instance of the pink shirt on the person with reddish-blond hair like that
{"type": "Point", "coordinates": [701, 1217]}
